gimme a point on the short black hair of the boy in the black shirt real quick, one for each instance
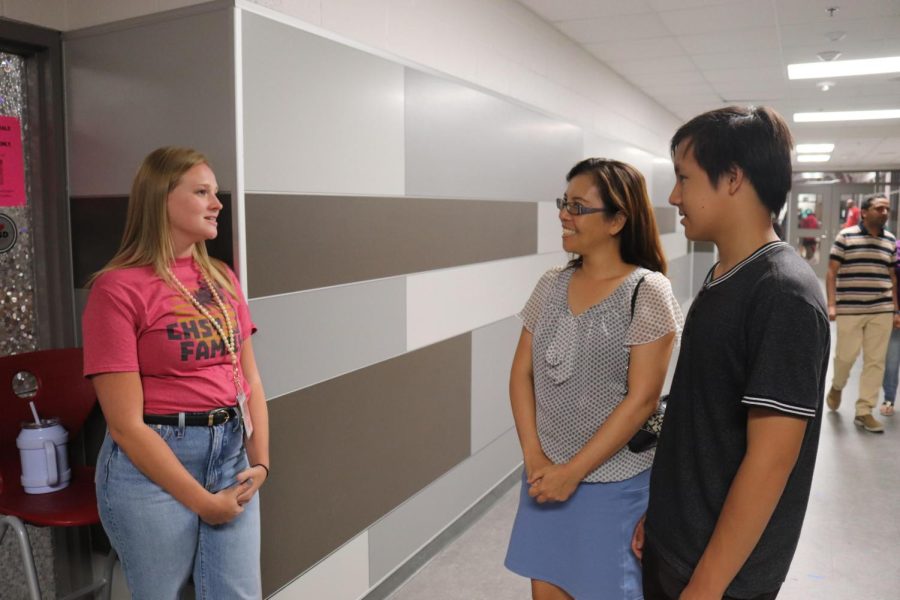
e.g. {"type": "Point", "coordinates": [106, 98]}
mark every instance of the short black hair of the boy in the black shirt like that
{"type": "Point", "coordinates": [754, 138]}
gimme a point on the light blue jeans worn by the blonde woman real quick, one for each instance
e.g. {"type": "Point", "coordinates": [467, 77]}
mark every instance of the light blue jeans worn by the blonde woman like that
{"type": "Point", "coordinates": [160, 542]}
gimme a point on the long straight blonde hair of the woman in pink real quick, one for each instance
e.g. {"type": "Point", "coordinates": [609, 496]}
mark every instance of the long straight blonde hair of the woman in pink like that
{"type": "Point", "coordinates": [147, 240]}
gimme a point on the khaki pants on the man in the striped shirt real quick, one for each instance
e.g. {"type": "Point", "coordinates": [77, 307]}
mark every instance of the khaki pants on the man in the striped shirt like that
{"type": "Point", "coordinates": [871, 333]}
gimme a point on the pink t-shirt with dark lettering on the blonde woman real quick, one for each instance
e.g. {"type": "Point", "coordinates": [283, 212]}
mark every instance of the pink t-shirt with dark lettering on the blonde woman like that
{"type": "Point", "coordinates": [136, 322]}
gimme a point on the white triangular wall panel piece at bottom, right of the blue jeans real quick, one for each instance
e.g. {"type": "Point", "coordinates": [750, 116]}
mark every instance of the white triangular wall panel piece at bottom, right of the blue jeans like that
{"type": "Point", "coordinates": [342, 575]}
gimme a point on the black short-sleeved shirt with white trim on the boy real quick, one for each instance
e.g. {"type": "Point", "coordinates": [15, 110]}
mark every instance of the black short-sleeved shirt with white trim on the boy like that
{"type": "Point", "coordinates": [755, 337]}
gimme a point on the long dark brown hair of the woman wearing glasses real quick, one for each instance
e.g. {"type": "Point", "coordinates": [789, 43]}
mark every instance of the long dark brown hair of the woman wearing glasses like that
{"type": "Point", "coordinates": [623, 190]}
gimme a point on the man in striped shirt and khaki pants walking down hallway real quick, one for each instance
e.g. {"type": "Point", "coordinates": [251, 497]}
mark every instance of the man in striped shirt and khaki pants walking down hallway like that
{"type": "Point", "coordinates": [862, 298]}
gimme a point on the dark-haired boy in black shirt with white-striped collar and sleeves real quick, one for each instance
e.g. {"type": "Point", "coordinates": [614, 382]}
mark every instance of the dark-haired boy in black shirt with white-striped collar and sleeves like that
{"type": "Point", "coordinates": [734, 465]}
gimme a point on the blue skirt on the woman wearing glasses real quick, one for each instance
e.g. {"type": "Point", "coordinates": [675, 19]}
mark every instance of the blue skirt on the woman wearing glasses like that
{"type": "Point", "coordinates": [582, 545]}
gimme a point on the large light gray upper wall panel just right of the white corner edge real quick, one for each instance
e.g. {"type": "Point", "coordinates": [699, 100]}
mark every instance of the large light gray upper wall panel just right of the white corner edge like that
{"type": "Point", "coordinates": [318, 116]}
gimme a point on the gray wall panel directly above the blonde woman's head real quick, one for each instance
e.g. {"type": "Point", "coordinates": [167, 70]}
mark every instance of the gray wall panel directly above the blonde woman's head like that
{"type": "Point", "coordinates": [130, 90]}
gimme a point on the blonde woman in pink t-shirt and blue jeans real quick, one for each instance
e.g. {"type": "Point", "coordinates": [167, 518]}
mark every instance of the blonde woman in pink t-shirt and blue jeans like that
{"type": "Point", "coordinates": [167, 345]}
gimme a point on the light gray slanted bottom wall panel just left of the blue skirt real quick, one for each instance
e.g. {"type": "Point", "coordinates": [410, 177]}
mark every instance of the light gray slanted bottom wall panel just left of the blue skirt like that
{"type": "Point", "coordinates": [395, 537]}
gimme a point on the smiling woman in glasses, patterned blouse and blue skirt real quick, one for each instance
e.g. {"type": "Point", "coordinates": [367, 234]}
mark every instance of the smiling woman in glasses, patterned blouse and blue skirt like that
{"type": "Point", "coordinates": [587, 373]}
